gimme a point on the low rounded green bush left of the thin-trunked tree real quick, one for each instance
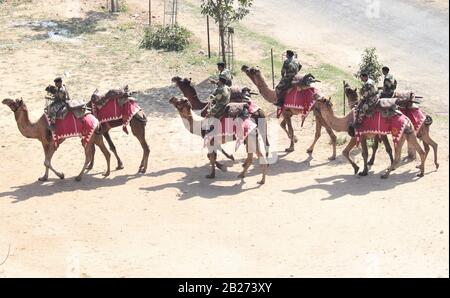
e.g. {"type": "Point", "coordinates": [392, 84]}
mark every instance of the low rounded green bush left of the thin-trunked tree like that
{"type": "Point", "coordinates": [174, 38]}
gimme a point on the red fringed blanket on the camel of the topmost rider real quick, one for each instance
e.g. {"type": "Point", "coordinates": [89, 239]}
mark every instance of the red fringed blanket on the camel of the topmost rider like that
{"type": "Point", "coordinates": [299, 99]}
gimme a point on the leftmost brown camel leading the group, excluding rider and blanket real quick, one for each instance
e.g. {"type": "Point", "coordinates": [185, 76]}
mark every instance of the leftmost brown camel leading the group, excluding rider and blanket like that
{"type": "Point", "coordinates": [39, 130]}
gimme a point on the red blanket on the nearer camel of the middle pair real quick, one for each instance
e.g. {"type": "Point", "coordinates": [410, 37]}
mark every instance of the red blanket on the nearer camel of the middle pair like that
{"type": "Point", "coordinates": [238, 129]}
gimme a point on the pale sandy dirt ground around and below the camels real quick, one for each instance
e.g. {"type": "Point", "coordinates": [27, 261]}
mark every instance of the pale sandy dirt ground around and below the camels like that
{"type": "Point", "coordinates": [313, 218]}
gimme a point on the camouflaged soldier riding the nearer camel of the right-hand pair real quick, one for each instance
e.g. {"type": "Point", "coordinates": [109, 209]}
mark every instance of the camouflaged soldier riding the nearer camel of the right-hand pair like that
{"type": "Point", "coordinates": [369, 99]}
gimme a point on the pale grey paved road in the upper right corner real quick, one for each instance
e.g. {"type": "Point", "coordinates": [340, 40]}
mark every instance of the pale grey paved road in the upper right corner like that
{"type": "Point", "coordinates": [411, 38]}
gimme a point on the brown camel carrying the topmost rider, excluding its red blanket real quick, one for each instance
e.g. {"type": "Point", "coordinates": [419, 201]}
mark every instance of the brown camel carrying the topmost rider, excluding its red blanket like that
{"type": "Point", "coordinates": [269, 94]}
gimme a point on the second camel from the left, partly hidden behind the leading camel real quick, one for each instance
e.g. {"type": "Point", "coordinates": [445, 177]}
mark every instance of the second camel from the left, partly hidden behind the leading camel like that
{"type": "Point", "coordinates": [137, 124]}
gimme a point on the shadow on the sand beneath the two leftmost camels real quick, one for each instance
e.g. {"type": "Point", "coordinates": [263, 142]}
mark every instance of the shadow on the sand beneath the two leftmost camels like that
{"type": "Point", "coordinates": [39, 189]}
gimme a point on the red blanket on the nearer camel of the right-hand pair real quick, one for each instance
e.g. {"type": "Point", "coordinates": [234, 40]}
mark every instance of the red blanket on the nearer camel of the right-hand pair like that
{"type": "Point", "coordinates": [377, 124]}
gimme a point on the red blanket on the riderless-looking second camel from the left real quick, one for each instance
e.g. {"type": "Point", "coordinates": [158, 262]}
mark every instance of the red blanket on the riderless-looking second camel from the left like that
{"type": "Point", "coordinates": [113, 111]}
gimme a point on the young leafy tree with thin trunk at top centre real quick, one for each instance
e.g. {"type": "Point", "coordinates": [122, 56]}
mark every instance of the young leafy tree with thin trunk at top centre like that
{"type": "Point", "coordinates": [224, 13]}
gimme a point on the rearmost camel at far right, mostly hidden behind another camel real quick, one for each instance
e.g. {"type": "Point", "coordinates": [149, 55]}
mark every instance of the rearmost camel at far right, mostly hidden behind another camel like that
{"type": "Point", "coordinates": [423, 133]}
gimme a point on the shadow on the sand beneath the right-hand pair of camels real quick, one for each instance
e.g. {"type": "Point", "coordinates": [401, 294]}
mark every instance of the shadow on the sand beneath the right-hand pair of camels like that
{"type": "Point", "coordinates": [340, 186]}
